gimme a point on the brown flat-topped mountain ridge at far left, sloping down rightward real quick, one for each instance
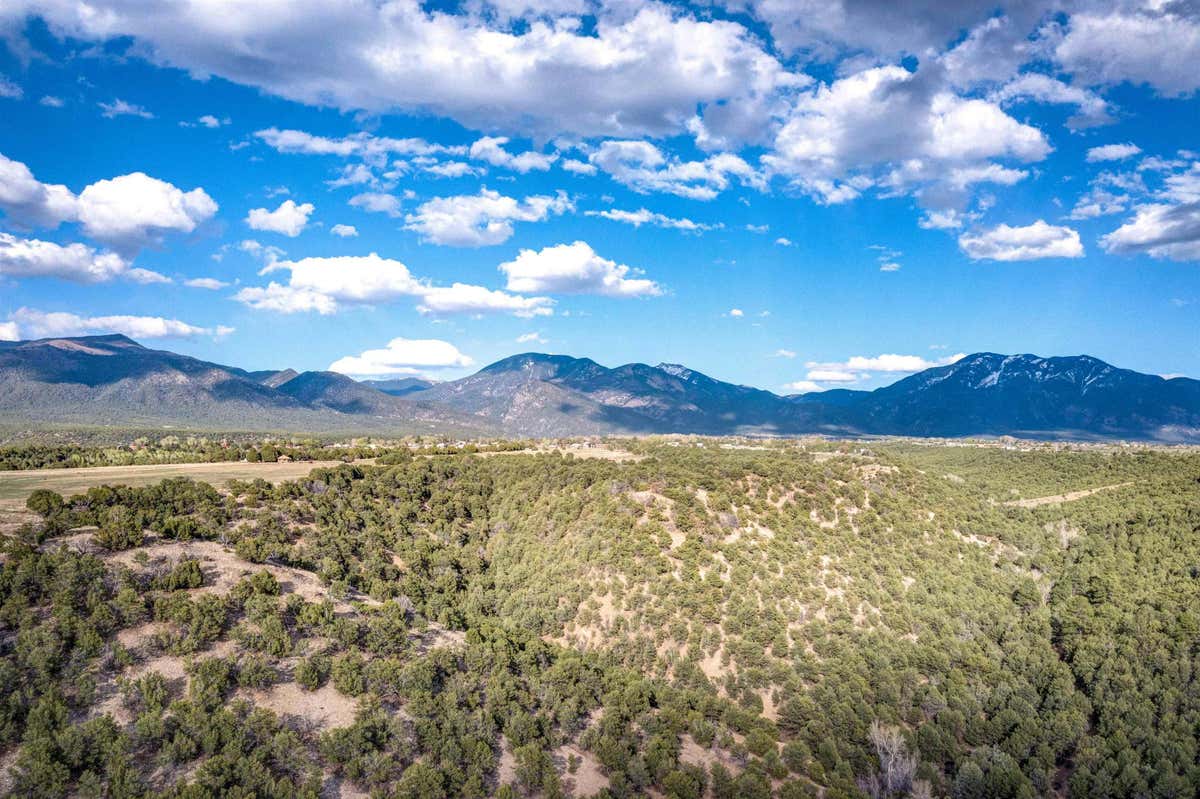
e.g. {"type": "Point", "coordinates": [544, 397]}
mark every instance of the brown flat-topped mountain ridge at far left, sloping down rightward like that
{"type": "Point", "coordinates": [113, 381]}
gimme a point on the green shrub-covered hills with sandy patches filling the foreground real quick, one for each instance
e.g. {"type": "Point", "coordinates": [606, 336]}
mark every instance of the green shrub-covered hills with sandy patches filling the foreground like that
{"type": "Point", "coordinates": [695, 618]}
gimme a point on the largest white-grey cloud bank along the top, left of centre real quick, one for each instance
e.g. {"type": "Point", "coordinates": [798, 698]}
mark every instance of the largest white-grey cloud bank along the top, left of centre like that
{"type": "Point", "coordinates": [635, 71]}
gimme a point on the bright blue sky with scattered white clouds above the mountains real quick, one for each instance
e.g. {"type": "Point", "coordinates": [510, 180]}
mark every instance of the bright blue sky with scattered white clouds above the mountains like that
{"type": "Point", "coordinates": [773, 196]}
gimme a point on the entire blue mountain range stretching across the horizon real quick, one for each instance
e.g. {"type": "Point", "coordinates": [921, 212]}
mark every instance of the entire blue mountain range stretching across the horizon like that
{"type": "Point", "coordinates": [112, 381]}
